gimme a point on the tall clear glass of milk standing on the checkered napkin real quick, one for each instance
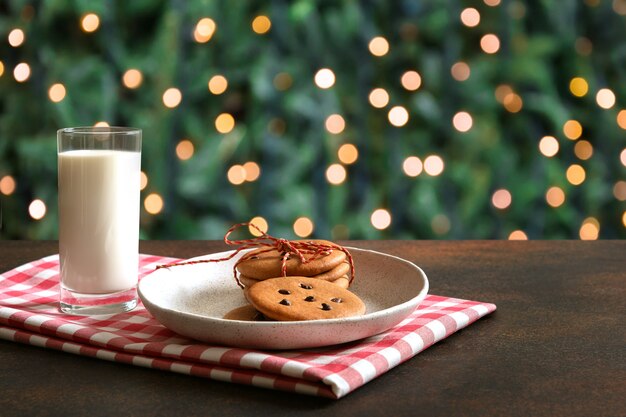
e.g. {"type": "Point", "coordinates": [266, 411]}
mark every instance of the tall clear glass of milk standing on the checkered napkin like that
{"type": "Point", "coordinates": [99, 176]}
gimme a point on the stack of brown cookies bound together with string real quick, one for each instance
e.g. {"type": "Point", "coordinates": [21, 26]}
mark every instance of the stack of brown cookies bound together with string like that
{"type": "Point", "coordinates": [262, 264]}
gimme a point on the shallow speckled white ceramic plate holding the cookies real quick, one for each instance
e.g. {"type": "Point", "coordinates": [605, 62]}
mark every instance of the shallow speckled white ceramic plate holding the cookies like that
{"type": "Point", "coordinates": [192, 299]}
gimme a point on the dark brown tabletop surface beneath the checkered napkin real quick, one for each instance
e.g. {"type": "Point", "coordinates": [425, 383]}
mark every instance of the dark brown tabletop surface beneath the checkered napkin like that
{"type": "Point", "coordinates": [555, 346]}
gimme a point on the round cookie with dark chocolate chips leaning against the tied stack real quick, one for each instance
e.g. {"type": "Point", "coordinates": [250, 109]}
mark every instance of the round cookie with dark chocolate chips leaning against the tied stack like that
{"type": "Point", "coordinates": [303, 298]}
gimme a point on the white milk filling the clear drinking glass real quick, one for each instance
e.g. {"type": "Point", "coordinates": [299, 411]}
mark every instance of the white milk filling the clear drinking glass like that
{"type": "Point", "coordinates": [99, 220]}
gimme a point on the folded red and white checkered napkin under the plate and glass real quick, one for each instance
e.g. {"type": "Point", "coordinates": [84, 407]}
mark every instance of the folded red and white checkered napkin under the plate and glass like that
{"type": "Point", "coordinates": [29, 314]}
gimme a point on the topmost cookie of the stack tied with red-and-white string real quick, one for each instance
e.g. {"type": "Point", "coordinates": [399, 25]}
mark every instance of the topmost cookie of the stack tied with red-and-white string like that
{"type": "Point", "coordinates": [263, 263]}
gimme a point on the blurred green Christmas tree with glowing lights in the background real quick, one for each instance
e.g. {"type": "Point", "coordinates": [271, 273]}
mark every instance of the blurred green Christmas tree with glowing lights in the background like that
{"type": "Point", "coordinates": [373, 119]}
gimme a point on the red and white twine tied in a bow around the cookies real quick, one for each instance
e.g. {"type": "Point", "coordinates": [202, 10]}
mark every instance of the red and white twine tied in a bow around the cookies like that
{"type": "Point", "coordinates": [306, 251]}
